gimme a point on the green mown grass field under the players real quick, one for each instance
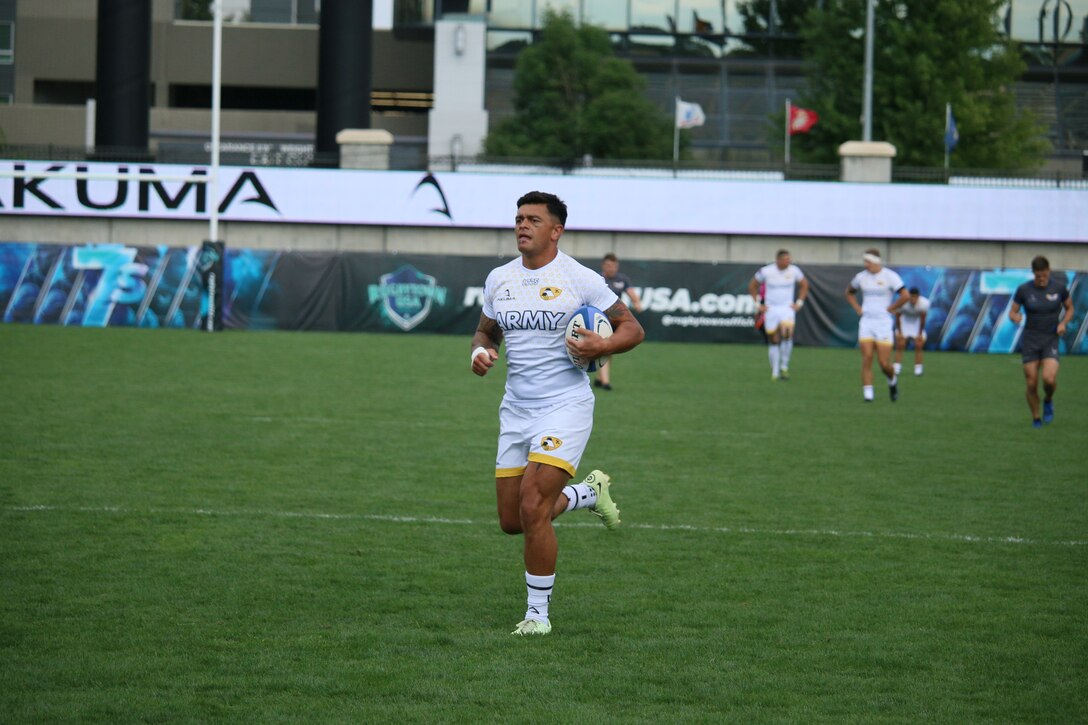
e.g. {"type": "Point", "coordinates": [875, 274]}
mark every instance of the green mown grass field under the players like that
{"type": "Point", "coordinates": [270, 527]}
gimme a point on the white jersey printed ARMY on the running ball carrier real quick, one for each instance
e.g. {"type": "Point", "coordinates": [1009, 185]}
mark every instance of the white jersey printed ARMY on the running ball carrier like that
{"type": "Point", "coordinates": [533, 308]}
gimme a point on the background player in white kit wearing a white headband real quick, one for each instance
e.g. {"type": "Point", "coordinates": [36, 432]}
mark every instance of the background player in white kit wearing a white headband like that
{"type": "Point", "coordinates": [883, 294]}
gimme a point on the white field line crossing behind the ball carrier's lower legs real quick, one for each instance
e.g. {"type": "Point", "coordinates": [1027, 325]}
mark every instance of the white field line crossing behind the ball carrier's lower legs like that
{"type": "Point", "coordinates": [648, 527]}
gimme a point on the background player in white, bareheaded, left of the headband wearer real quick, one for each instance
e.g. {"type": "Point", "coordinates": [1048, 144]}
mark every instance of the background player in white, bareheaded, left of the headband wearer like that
{"type": "Point", "coordinates": [780, 308]}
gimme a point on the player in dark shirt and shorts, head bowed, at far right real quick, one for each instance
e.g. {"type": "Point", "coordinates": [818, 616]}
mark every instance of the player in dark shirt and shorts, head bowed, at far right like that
{"type": "Point", "coordinates": [1044, 300]}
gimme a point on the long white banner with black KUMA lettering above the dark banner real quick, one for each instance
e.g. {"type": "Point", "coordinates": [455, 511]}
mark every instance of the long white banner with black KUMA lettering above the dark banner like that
{"type": "Point", "coordinates": [487, 201]}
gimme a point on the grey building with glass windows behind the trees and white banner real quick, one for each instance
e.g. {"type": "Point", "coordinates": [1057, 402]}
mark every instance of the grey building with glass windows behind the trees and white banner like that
{"type": "Point", "coordinates": [739, 59]}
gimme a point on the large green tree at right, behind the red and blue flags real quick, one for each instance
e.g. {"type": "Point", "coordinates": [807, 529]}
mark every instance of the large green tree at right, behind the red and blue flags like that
{"type": "Point", "coordinates": [926, 54]}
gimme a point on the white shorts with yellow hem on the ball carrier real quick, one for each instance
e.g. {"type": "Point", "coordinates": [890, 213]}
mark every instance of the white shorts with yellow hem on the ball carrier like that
{"type": "Point", "coordinates": [557, 436]}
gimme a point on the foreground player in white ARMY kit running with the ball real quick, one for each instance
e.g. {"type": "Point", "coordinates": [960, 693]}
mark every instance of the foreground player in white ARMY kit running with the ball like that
{"type": "Point", "coordinates": [547, 415]}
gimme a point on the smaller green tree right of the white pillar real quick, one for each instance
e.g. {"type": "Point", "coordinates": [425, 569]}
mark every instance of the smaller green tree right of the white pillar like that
{"type": "Point", "coordinates": [573, 97]}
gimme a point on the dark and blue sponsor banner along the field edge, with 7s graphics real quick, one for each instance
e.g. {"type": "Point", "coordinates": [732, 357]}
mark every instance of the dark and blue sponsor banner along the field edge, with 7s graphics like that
{"type": "Point", "coordinates": [110, 285]}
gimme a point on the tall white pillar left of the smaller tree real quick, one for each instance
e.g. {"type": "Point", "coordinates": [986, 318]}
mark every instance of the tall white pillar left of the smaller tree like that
{"type": "Point", "coordinates": [459, 122]}
